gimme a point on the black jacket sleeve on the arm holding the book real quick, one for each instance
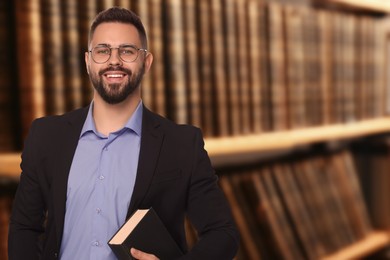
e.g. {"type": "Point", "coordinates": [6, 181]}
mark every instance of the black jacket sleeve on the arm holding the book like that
{"type": "Point", "coordinates": [209, 211]}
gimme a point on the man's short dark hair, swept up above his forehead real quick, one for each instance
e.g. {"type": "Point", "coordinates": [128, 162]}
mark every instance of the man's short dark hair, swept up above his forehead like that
{"type": "Point", "coordinates": [119, 15]}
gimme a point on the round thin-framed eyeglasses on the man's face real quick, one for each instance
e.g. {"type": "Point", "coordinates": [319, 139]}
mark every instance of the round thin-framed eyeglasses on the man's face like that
{"type": "Point", "coordinates": [127, 53]}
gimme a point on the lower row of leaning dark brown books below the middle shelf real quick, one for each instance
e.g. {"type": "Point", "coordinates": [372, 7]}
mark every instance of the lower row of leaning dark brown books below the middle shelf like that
{"type": "Point", "coordinates": [305, 206]}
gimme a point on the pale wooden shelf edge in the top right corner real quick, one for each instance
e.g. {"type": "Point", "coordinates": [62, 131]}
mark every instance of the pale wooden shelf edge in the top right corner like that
{"type": "Point", "coordinates": [380, 6]}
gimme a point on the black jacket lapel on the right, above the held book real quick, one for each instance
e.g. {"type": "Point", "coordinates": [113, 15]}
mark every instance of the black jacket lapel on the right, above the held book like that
{"type": "Point", "coordinates": [151, 141]}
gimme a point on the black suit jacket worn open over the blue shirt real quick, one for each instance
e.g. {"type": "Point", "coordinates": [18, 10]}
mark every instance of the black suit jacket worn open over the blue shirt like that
{"type": "Point", "coordinates": [174, 177]}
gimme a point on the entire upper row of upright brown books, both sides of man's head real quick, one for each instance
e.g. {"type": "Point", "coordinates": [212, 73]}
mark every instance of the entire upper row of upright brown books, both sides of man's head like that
{"type": "Point", "coordinates": [231, 67]}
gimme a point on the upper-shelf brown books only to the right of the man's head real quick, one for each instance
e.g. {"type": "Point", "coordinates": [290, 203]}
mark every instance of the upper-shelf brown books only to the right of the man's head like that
{"type": "Point", "coordinates": [236, 67]}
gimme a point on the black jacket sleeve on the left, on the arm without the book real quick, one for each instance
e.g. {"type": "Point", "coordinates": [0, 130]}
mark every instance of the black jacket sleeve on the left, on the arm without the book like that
{"type": "Point", "coordinates": [28, 211]}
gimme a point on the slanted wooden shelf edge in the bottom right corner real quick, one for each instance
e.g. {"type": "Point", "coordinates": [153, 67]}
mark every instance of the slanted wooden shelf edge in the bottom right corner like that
{"type": "Point", "coordinates": [372, 243]}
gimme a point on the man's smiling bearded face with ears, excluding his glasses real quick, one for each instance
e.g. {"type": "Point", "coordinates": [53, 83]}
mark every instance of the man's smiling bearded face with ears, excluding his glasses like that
{"type": "Point", "coordinates": [115, 80]}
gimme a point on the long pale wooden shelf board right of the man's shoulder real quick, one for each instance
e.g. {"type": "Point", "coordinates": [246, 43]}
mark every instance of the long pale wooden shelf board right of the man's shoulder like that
{"type": "Point", "coordinates": [224, 149]}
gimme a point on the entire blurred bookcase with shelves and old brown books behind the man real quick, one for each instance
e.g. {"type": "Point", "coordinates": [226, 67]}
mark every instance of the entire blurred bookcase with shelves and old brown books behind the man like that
{"type": "Point", "coordinates": [268, 82]}
